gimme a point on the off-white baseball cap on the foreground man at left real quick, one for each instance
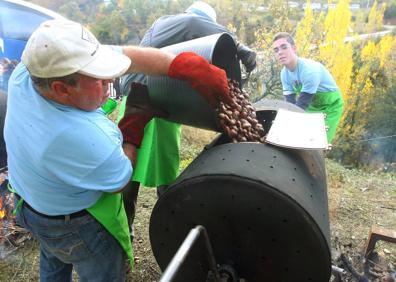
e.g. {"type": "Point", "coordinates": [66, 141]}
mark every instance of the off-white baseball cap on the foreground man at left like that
{"type": "Point", "coordinates": [61, 47]}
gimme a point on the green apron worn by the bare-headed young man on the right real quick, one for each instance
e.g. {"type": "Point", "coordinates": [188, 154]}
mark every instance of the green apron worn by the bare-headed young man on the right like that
{"type": "Point", "coordinates": [330, 103]}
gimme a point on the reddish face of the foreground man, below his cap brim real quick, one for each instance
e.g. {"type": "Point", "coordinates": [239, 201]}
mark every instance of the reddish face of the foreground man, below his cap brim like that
{"type": "Point", "coordinates": [89, 93]}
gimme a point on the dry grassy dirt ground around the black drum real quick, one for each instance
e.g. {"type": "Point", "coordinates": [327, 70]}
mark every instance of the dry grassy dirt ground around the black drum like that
{"type": "Point", "coordinates": [357, 201]}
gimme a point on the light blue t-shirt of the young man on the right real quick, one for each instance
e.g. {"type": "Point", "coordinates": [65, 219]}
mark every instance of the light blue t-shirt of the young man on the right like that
{"type": "Point", "coordinates": [309, 77]}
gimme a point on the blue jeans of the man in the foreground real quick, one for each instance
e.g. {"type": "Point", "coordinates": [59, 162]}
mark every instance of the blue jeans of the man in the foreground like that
{"type": "Point", "coordinates": [82, 243]}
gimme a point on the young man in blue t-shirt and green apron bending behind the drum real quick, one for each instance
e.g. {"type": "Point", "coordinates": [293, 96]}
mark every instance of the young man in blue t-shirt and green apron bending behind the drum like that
{"type": "Point", "coordinates": [308, 83]}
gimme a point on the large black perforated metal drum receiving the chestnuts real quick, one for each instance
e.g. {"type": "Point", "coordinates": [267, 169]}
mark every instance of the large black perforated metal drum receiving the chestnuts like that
{"type": "Point", "coordinates": [265, 210]}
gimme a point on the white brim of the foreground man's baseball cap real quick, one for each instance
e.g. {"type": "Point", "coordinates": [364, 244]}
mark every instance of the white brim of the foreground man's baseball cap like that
{"type": "Point", "coordinates": [108, 64]}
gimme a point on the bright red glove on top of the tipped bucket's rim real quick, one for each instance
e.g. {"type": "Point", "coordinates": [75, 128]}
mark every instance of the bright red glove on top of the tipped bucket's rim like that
{"type": "Point", "coordinates": [209, 80]}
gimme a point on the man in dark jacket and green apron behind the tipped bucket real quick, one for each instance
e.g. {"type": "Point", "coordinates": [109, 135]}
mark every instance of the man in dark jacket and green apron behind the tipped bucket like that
{"type": "Point", "coordinates": [158, 162]}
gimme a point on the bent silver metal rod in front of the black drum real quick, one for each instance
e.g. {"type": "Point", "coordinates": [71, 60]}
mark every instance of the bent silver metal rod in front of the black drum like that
{"type": "Point", "coordinates": [185, 248]}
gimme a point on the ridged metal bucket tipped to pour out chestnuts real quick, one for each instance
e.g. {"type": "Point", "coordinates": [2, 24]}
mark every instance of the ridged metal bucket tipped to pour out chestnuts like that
{"type": "Point", "coordinates": [183, 103]}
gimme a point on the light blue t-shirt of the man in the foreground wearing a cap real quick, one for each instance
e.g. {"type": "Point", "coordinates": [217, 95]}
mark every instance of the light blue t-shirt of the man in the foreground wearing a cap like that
{"type": "Point", "coordinates": [60, 159]}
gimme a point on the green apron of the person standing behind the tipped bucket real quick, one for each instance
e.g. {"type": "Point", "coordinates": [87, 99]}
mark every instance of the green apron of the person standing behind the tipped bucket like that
{"type": "Point", "coordinates": [158, 157]}
